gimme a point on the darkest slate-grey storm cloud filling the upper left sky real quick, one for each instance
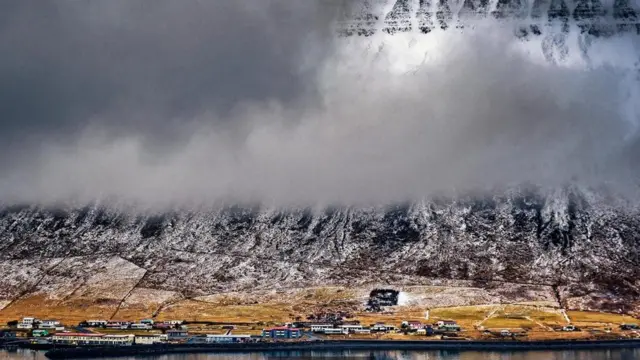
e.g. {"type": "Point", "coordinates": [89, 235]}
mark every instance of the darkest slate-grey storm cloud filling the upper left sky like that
{"type": "Point", "coordinates": [146, 66]}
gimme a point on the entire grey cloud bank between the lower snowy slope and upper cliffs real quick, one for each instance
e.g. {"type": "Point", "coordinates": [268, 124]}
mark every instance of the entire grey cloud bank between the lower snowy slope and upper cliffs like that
{"type": "Point", "coordinates": [168, 104]}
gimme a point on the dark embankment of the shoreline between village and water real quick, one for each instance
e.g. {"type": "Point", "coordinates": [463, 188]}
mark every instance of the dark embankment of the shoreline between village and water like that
{"type": "Point", "coordinates": [338, 345]}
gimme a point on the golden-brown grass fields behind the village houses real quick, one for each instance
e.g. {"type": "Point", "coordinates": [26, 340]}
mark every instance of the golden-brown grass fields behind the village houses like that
{"type": "Point", "coordinates": [254, 311]}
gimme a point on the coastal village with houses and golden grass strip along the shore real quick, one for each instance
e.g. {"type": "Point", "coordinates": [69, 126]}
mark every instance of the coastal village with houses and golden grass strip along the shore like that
{"type": "Point", "coordinates": [381, 319]}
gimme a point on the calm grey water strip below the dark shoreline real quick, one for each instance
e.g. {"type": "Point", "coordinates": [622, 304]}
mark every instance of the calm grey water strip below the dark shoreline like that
{"type": "Point", "coordinates": [617, 354]}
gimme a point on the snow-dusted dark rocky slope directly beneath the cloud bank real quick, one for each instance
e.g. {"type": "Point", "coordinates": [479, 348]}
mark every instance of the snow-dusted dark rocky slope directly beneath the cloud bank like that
{"type": "Point", "coordinates": [583, 244]}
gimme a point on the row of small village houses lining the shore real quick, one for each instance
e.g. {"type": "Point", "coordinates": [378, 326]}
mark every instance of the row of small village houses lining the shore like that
{"type": "Point", "coordinates": [149, 332]}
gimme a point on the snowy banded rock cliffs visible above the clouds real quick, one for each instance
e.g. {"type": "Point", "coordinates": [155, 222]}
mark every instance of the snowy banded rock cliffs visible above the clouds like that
{"type": "Point", "coordinates": [594, 17]}
